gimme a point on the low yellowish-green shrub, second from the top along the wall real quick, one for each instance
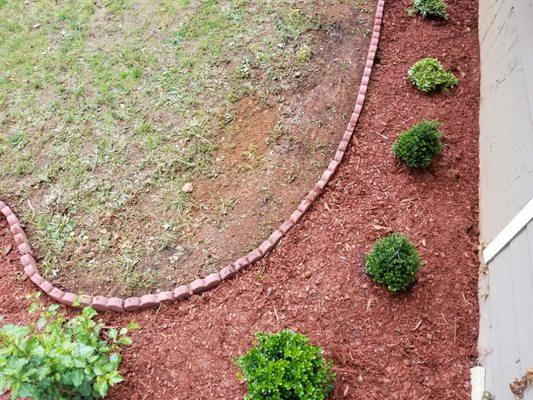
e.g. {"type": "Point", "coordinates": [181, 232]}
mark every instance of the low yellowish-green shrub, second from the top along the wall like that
{"type": "Point", "coordinates": [428, 75]}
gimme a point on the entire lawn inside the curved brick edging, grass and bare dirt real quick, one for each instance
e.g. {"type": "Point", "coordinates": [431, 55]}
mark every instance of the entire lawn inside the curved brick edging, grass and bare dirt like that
{"type": "Point", "coordinates": [108, 108]}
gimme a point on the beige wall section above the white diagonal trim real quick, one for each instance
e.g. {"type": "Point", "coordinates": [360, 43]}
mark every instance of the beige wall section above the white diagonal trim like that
{"type": "Point", "coordinates": [506, 115]}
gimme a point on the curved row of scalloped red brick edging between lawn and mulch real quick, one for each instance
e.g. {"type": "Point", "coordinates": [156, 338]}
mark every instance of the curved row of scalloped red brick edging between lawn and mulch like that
{"type": "Point", "coordinates": [198, 286]}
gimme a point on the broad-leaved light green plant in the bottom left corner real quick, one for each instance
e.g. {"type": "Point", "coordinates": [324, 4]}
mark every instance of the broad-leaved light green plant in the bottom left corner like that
{"type": "Point", "coordinates": [56, 358]}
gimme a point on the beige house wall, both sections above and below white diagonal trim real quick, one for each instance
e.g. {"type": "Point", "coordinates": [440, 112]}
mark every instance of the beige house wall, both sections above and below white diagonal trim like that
{"type": "Point", "coordinates": [506, 185]}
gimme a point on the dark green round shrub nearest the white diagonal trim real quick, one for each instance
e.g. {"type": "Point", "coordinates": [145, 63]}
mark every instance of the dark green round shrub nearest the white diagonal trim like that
{"type": "Point", "coordinates": [393, 262]}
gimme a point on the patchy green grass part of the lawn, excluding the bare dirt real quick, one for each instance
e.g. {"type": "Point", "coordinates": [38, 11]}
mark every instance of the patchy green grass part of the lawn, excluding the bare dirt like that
{"type": "Point", "coordinates": [108, 108]}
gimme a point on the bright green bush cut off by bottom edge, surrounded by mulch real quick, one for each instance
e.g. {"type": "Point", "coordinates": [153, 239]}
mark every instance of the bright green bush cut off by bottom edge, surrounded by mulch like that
{"type": "Point", "coordinates": [284, 366]}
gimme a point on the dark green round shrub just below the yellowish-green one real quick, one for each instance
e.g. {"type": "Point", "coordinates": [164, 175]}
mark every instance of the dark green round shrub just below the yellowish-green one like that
{"type": "Point", "coordinates": [419, 145]}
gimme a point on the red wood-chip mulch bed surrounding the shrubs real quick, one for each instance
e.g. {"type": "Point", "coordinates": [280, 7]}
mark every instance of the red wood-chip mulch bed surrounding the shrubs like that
{"type": "Point", "coordinates": [419, 345]}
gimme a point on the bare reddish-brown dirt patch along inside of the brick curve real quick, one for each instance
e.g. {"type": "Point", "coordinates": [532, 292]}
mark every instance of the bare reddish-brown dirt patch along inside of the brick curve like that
{"type": "Point", "coordinates": [273, 153]}
